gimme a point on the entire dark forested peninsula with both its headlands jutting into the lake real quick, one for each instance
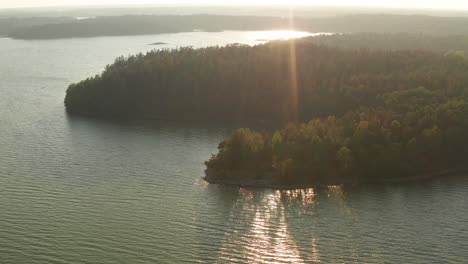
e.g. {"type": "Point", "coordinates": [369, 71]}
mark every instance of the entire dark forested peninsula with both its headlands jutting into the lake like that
{"type": "Point", "coordinates": [377, 115]}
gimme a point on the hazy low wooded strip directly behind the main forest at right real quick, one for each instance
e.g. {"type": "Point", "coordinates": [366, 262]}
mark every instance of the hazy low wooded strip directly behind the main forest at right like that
{"type": "Point", "coordinates": [448, 44]}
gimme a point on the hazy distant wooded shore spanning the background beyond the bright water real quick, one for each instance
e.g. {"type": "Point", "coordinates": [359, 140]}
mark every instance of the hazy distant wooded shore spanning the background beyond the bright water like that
{"type": "Point", "coordinates": [157, 24]}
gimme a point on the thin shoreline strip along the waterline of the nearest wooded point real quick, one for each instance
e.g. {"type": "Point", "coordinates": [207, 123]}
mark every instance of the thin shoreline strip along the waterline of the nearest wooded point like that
{"type": "Point", "coordinates": [265, 182]}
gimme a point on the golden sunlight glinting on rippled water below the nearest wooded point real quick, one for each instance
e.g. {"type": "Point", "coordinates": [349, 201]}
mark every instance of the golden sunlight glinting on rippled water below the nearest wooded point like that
{"type": "Point", "coordinates": [261, 230]}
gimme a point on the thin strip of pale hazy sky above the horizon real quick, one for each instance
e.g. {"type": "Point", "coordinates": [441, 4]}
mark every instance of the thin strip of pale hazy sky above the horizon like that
{"type": "Point", "coordinates": [436, 4]}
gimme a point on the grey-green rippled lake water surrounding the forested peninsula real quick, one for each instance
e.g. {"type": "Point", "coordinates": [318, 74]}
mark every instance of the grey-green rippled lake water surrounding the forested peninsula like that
{"type": "Point", "coordinates": [76, 190]}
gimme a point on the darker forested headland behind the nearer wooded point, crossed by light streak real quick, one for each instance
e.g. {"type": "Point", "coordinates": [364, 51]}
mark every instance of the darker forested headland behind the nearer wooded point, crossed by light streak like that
{"type": "Point", "coordinates": [279, 81]}
